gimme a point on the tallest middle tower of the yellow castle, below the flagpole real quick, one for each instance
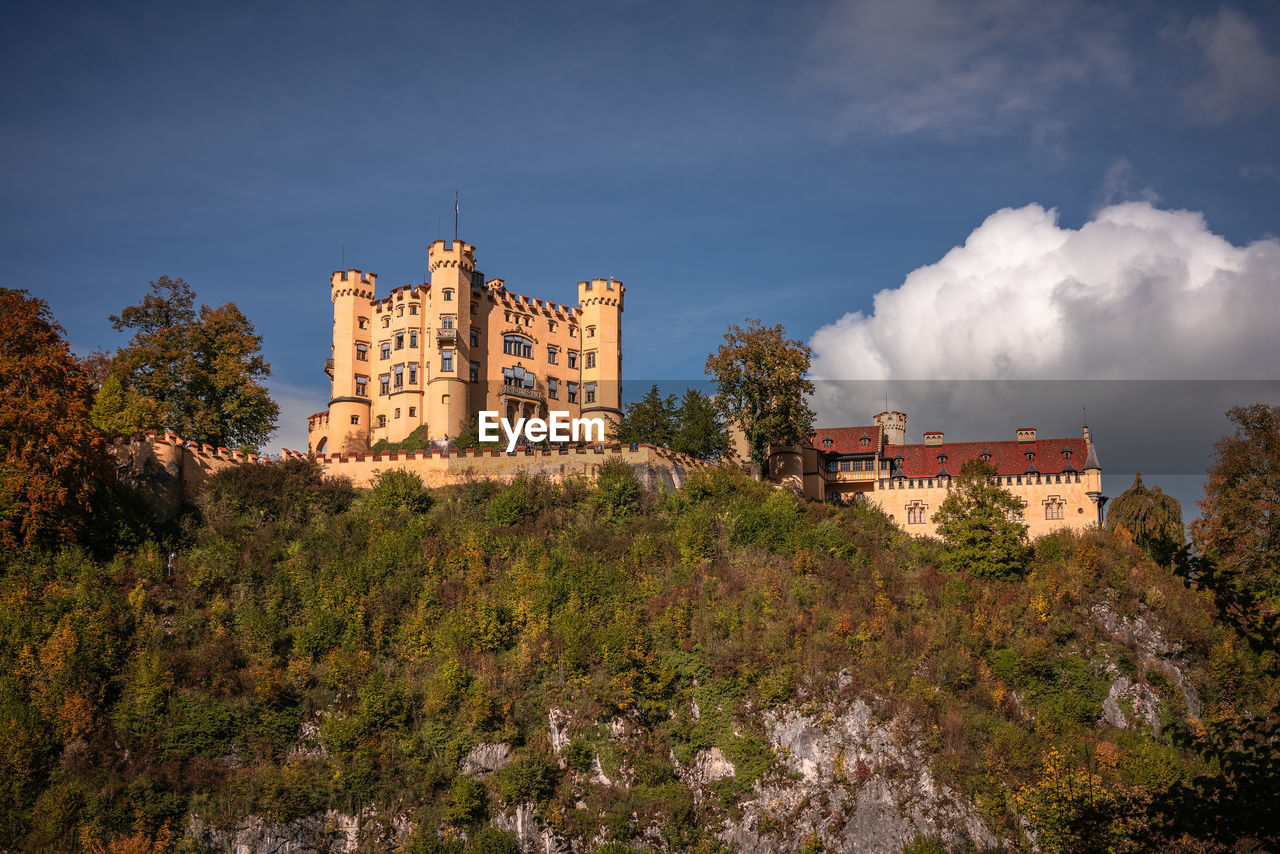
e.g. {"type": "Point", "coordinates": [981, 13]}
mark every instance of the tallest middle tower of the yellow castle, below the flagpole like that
{"type": "Point", "coordinates": [449, 323]}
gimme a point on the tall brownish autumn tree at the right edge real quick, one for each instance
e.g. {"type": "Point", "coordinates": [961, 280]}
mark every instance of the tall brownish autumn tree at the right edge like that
{"type": "Point", "coordinates": [1238, 532]}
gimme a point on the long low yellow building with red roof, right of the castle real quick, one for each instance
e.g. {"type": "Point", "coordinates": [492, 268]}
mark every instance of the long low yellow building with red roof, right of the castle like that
{"type": "Point", "coordinates": [1059, 481]}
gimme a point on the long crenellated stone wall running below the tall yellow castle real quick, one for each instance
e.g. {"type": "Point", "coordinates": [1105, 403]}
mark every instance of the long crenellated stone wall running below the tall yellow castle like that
{"type": "Point", "coordinates": [172, 472]}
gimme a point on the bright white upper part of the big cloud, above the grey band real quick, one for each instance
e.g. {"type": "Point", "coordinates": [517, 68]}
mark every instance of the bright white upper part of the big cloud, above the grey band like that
{"type": "Point", "coordinates": [1135, 294]}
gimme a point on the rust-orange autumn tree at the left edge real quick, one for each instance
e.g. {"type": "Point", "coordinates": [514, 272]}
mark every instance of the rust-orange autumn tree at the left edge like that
{"type": "Point", "coordinates": [53, 456]}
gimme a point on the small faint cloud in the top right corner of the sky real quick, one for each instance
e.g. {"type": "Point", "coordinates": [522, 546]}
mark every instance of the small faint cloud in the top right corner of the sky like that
{"type": "Point", "coordinates": [1242, 77]}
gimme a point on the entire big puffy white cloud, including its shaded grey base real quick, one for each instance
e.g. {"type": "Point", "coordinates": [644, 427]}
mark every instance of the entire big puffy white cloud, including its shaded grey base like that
{"type": "Point", "coordinates": [1142, 314]}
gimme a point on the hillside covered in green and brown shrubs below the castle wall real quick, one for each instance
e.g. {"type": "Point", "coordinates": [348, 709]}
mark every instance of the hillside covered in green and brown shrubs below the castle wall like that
{"type": "Point", "coordinates": [307, 647]}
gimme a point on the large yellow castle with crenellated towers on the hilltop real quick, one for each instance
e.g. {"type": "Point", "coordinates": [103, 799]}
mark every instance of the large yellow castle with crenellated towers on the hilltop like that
{"type": "Point", "coordinates": [437, 354]}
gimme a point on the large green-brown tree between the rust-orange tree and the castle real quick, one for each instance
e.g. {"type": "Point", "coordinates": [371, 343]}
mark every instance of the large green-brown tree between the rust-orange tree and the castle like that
{"type": "Point", "coordinates": [202, 369]}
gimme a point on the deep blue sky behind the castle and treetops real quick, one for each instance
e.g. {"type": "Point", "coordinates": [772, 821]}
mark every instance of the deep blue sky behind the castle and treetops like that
{"type": "Point", "coordinates": [787, 162]}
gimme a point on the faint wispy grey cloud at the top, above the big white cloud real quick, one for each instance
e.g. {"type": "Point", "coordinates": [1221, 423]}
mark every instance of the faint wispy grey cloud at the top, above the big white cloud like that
{"type": "Point", "coordinates": [911, 66]}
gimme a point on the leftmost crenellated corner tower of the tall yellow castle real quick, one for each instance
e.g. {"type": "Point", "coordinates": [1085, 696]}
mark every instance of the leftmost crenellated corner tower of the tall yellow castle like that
{"type": "Point", "coordinates": [350, 400]}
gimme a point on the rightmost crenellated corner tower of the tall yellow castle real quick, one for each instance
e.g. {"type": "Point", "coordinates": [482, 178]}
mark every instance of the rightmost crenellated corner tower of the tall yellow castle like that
{"type": "Point", "coordinates": [601, 327]}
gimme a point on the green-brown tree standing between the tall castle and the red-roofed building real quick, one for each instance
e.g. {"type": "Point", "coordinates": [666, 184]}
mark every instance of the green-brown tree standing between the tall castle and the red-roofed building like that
{"type": "Point", "coordinates": [761, 386]}
